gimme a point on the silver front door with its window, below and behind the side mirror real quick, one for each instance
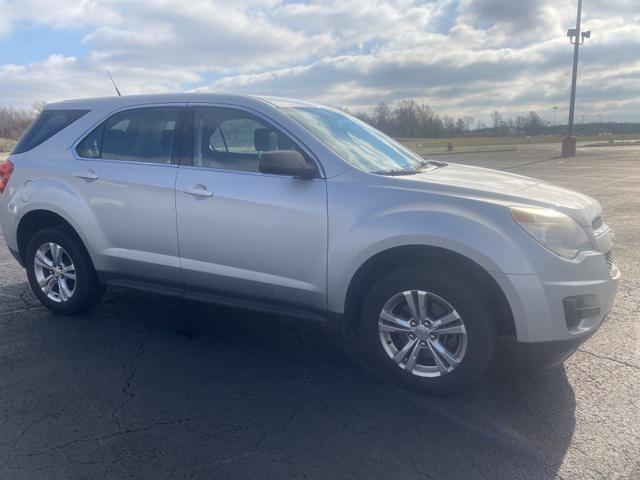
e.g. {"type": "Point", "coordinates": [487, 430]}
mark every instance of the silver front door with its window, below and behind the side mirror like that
{"type": "Point", "coordinates": [243, 233]}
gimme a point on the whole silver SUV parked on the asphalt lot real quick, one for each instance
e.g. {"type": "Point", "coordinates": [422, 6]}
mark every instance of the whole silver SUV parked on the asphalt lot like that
{"type": "Point", "coordinates": [300, 209]}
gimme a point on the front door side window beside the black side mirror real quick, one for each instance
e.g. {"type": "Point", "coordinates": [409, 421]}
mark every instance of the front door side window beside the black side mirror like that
{"type": "Point", "coordinates": [232, 139]}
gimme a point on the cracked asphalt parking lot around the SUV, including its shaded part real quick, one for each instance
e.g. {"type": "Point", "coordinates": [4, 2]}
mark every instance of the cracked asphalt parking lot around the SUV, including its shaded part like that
{"type": "Point", "coordinates": [149, 387]}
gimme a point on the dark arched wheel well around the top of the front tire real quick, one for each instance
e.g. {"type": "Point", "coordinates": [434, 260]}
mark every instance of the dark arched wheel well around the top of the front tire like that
{"type": "Point", "coordinates": [392, 258]}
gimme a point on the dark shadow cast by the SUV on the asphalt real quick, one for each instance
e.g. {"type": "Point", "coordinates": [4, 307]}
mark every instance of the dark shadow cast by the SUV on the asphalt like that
{"type": "Point", "coordinates": [148, 386]}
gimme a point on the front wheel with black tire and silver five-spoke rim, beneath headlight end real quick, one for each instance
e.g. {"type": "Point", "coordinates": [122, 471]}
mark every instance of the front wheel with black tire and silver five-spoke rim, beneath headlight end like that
{"type": "Point", "coordinates": [449, 294]}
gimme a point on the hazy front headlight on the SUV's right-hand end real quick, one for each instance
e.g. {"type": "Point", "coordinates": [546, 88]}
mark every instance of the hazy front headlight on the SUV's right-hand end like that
{"type": "Point", "coordinates": [556, 231]}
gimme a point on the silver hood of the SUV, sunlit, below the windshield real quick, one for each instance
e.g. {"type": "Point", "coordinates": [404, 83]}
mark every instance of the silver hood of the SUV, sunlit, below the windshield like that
{"type": "Point", "coordinates": [503, 187]}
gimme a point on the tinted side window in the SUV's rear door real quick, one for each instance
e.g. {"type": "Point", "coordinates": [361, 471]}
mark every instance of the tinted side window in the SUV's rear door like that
{"type": "Point", "coordinates": [139, 135]}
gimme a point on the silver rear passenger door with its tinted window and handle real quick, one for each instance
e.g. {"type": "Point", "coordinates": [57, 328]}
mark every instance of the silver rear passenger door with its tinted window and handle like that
{"type": "Point", "coordinates": [127, 173]}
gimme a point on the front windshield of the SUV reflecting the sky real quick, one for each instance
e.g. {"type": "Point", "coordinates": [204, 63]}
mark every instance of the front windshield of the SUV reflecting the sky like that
{"type": "Point", "coordinates": [359, 144]}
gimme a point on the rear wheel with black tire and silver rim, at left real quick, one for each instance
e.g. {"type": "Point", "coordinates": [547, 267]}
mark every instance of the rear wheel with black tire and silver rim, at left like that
{"type": "Point", "coordinates": [79, 293]}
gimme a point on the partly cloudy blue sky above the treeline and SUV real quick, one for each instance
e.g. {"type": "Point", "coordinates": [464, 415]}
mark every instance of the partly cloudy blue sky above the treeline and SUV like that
{"type": "Point", "coordinates": [462, 57]}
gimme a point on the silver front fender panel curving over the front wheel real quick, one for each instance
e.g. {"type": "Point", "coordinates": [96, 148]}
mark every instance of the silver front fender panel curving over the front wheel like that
{"type": "Point", "coordinates": [482, 232]}
